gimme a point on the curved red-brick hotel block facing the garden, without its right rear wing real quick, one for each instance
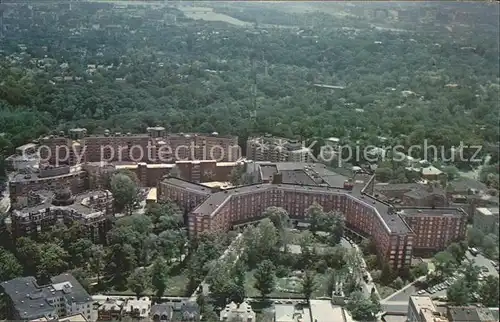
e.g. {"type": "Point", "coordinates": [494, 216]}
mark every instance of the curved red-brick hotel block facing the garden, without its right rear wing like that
{"type": "Point", "coordinates": [212, 211]}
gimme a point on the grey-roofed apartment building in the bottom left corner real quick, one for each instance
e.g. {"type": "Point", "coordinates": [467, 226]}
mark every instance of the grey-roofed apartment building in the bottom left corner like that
{"type": "Point", "coordinates": [64, 296]}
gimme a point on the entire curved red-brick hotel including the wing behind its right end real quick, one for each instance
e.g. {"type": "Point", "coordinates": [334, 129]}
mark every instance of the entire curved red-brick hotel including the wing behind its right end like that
{"type": "Point", "coordinates": [397, 233]}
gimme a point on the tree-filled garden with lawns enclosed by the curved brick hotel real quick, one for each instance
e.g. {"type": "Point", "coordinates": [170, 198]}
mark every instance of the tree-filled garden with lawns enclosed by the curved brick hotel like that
{"type": "Point", "coordinates": [273, 261]}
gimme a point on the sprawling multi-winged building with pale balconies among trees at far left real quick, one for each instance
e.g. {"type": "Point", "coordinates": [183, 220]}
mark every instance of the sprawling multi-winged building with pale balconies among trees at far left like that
{"type": "Point", "coordinates": [45, 208]}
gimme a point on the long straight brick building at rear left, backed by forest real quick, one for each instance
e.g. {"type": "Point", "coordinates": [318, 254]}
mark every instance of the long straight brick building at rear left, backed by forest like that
{"type": "Point", "coordinates": [155, 146]}
